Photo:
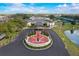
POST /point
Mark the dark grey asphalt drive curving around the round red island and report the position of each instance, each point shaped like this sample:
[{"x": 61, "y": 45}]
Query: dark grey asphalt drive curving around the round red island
[{"x": 16, "y": 48}]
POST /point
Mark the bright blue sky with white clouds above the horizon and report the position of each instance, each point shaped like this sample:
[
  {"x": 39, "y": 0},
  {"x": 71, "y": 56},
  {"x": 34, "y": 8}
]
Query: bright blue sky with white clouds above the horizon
[{"x": 45, "y": 8}]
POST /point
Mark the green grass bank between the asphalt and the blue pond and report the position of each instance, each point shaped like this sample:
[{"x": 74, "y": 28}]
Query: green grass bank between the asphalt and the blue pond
[{"x": 70, "y": 46}]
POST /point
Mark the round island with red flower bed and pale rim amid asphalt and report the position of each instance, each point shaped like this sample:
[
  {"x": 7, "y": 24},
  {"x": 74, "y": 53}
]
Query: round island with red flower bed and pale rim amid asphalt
[{"x": 38, "y": 41}]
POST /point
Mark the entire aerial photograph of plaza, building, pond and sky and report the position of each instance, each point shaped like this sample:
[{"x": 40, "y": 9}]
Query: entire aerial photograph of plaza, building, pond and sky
[{"x": 39, "y": 29}]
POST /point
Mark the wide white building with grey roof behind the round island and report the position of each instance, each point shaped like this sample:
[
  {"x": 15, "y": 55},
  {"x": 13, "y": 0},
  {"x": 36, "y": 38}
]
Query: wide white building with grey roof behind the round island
[{"x": 40, "y": 21}]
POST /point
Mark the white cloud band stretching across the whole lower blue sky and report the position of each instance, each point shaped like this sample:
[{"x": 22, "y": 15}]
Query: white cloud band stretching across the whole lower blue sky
[{"x": 31, "y": 8}]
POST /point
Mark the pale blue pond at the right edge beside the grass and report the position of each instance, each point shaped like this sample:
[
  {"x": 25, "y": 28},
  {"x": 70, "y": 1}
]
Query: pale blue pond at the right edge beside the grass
[{"x": 73, "y": 35}]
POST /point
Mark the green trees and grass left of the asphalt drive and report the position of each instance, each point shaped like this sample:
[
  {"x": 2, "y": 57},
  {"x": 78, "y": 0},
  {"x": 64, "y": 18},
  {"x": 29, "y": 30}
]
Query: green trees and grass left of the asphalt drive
[{"x": 11, "y": 29}]
